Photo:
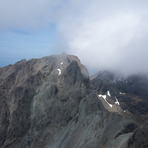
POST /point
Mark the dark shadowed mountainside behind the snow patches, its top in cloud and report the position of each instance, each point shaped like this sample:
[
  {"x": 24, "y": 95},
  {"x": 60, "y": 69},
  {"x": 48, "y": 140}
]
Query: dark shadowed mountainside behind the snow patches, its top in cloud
[{"x": 131, "y": 92}]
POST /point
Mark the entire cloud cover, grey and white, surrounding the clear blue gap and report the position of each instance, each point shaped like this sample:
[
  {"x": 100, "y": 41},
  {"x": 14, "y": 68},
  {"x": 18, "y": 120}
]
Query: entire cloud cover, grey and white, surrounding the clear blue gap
[{"x": 110, "y": 35}]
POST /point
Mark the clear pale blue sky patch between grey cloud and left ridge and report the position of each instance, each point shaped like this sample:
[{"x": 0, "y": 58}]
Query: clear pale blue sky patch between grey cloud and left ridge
[{"x": 17, "y": 44}]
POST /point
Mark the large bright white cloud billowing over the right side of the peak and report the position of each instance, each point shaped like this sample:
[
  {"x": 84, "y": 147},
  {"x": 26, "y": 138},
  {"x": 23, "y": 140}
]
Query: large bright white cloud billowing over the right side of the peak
[{"x": 108, "y": 35}]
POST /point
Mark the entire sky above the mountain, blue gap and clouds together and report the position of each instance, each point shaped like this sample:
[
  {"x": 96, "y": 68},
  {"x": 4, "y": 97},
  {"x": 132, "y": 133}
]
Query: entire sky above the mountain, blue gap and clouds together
[{"x": 105, "y": 35}]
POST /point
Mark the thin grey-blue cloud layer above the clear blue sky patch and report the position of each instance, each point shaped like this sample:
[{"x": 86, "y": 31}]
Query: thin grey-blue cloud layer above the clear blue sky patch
[{"x": 26, "y": 14}]
